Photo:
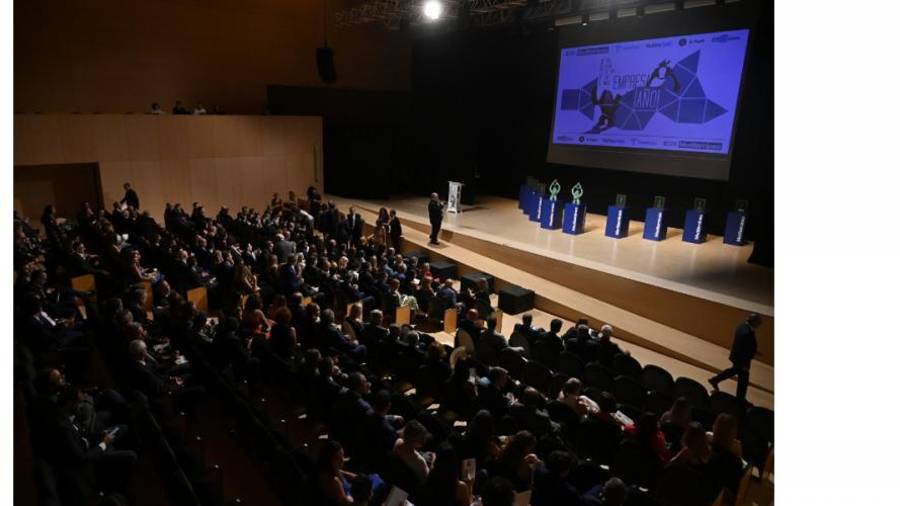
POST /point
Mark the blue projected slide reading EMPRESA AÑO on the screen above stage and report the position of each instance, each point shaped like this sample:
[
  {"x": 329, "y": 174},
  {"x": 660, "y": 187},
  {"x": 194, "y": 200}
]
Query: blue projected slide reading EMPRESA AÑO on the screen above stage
[{"x": 673, "y": 93}]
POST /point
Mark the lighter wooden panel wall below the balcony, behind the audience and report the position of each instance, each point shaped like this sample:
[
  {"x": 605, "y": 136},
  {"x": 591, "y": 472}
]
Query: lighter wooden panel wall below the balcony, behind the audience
[{"x": 215, "y": 160}]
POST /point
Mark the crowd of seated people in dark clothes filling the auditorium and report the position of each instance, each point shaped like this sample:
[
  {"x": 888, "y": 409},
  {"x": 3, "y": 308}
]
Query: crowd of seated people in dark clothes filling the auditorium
[{"x": 279, "y": 282}]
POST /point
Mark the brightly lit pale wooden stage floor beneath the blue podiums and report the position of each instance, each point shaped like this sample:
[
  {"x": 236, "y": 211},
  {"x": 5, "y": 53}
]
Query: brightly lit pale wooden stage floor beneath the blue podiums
[{"x": 712, "y": 270}]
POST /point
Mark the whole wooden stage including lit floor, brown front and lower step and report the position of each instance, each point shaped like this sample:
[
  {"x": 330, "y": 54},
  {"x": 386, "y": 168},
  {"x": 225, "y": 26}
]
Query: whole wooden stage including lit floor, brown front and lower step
[{"x": 677, "y": 299}]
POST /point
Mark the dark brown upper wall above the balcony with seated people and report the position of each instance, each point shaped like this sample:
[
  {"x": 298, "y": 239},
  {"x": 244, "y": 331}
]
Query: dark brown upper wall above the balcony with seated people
[{"x": 114, "y": 56}]
